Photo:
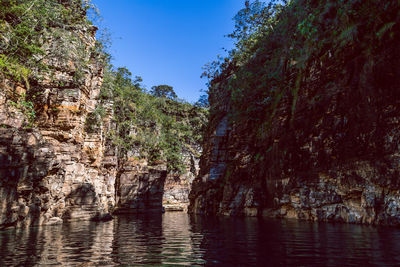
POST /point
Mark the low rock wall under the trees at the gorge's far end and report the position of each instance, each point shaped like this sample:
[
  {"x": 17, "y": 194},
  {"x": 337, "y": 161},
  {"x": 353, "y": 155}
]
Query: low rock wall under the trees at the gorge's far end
[{"x": 144, "y": 188}]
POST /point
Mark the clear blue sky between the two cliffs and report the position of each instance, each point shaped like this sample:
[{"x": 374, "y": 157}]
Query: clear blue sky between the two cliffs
[{"x": 168, "y": 41}]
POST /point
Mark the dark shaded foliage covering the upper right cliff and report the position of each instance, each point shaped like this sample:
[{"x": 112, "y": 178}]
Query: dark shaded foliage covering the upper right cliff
[{"x": 302, "y": 68}]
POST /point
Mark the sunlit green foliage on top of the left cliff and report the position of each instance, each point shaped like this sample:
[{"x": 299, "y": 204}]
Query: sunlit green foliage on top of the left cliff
[{"x": 26, "y": 28}]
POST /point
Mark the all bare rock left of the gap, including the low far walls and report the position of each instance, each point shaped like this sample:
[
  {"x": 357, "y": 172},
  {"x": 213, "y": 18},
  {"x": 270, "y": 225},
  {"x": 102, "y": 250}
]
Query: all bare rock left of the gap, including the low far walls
[{"x": 58, "y": 165}]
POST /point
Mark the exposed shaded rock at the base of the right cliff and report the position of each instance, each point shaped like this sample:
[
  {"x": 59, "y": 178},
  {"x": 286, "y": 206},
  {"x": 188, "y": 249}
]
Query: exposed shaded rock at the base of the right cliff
[{"x": 359, "y": 190}]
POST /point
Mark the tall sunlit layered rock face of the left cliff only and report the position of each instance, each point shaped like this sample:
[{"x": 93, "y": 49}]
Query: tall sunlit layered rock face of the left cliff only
[{"x": 57, "y": 170}]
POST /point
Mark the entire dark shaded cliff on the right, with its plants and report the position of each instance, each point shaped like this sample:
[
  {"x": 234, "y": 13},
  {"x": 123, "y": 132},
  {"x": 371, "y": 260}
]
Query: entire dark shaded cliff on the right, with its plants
[{"x": 326, "y": 148}]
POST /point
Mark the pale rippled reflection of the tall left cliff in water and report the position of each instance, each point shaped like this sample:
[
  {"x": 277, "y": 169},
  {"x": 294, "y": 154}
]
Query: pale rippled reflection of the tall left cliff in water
[{"x": 73, "y": 243}]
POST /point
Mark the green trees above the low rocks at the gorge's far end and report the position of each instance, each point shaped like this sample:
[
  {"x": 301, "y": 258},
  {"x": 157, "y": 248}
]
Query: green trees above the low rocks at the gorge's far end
[{"x": 151, "y": 125}]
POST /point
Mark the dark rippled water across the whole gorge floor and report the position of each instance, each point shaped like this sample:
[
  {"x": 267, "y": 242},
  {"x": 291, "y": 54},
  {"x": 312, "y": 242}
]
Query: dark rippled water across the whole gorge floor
[{"x": 175, "y": 239}]
